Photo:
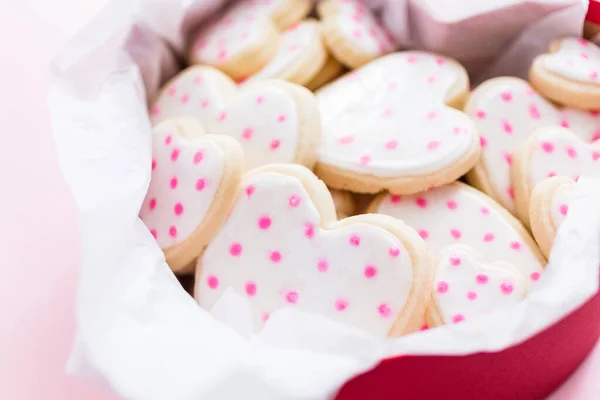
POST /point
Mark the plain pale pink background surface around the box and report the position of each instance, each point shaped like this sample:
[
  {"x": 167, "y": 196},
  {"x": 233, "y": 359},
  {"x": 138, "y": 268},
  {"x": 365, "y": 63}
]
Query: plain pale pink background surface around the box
[{"x": 38, "y": 229}]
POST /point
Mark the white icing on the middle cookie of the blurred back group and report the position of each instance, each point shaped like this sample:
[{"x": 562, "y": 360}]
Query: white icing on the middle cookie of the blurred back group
[{"x": 296, "y": 41}]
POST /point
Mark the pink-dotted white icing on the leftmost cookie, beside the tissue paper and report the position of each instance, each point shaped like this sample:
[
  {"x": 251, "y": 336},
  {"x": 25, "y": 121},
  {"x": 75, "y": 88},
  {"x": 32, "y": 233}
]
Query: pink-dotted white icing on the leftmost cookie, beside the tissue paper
[{"x": 186, "y": 174}]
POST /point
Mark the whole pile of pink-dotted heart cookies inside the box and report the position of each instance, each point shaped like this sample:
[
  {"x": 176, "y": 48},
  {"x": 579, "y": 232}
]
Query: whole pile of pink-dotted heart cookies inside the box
[{"x": 250, "y": 168}]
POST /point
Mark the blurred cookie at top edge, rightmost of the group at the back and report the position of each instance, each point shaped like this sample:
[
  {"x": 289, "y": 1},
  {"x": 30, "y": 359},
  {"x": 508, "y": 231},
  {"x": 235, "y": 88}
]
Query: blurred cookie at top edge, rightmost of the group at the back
[{"x": 353, "y": 34}]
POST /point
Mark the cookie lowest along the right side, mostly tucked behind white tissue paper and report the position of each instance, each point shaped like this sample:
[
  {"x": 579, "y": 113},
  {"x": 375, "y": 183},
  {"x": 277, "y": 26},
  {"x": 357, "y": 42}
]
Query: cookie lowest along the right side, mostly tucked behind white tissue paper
[{"x": 548, "y": 209}]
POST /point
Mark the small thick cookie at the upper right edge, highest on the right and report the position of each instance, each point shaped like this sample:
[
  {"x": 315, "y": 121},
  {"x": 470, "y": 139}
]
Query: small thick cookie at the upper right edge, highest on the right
[{"x": 569, "y": 74}]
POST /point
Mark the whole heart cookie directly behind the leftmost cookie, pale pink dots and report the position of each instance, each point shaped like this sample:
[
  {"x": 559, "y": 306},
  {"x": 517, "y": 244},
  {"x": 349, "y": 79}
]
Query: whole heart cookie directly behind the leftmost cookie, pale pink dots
[{"x": 274, "y": 121}]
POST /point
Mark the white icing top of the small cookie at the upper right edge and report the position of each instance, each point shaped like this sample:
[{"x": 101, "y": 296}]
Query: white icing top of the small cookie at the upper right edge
[{"x": 576, "y": 59}]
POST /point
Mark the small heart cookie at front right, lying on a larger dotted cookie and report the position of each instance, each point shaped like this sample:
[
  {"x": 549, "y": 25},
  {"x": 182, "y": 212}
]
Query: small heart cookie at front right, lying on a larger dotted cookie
[{"x": 464, "y": 287}]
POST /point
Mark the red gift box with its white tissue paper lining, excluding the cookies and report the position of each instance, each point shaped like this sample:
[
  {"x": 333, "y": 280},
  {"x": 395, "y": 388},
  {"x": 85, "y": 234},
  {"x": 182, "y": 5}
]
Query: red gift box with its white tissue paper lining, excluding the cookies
[{"x": 142, "y": 336}]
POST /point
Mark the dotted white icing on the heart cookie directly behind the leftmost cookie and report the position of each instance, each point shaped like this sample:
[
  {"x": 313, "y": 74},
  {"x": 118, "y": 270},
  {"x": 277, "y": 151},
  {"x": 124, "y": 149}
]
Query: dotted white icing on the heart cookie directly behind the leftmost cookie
[{"x": 263, "y": 118}]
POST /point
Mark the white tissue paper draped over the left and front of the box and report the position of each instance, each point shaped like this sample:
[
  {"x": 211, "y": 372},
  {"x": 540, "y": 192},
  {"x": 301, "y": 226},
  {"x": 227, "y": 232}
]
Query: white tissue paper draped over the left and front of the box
[{"x": 139, "y": 334}]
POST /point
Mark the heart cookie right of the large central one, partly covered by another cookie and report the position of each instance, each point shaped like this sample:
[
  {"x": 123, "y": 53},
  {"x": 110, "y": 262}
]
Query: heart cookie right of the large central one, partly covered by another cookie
[{"x": 506, "y": 112}]
